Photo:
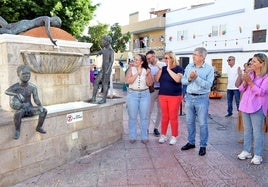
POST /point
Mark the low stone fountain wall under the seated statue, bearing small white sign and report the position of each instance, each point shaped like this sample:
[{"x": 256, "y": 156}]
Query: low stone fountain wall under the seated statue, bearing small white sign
[{"x": 34, "y": 153}]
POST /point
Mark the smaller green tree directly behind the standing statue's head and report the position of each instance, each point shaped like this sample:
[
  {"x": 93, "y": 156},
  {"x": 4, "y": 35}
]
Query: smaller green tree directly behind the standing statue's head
[{"x": 95, "y": 34}]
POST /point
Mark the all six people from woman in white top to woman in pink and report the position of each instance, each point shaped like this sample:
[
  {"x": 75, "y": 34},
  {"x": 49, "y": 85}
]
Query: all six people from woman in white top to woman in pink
[{"x": 167, "y": 81}]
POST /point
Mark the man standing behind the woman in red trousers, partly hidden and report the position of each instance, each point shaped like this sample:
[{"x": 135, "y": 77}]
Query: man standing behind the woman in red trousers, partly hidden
[{"x": 153, "y": 61}]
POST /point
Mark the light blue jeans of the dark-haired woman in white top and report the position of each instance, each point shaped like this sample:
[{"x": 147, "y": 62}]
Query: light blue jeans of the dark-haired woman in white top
[{"x": 138, "y": 102}]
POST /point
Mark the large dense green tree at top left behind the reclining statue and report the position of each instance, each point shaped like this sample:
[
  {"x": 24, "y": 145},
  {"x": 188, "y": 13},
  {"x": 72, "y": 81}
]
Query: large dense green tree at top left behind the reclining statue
[{"x": 75, "y": 14}]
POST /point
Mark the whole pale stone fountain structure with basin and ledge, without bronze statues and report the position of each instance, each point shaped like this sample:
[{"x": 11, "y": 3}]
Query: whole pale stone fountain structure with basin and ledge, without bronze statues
[{"x": 74, "y": 127}]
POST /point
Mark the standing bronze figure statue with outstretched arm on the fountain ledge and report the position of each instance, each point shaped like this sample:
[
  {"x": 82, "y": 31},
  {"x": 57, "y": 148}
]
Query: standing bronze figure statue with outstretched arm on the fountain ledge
[{"x": 103, "y": 76}]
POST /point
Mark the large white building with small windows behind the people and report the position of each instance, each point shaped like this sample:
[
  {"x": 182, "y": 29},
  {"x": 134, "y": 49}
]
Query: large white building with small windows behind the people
[{"x": 223, "y": 27}]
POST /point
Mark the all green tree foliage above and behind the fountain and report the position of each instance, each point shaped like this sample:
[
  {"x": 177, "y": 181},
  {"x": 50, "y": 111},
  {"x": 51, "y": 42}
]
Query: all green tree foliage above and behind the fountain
[{"x": 75, "y": 15}]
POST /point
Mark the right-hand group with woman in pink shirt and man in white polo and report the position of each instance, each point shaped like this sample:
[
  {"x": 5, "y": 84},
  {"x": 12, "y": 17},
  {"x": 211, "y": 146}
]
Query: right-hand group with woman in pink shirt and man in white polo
[{"x": 250, "y": 88}]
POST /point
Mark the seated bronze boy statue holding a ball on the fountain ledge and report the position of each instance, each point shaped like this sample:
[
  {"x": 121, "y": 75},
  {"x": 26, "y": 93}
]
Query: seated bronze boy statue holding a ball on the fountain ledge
[{"x": 21, "y": 100}]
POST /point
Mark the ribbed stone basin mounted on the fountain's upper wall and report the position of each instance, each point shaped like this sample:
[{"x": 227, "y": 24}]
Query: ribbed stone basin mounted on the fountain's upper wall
[{"x": 52, "y": 62}]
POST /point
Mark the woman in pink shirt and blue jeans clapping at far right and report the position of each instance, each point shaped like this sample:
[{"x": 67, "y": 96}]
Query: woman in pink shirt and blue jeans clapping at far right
[{"x": 254, "y": 107}]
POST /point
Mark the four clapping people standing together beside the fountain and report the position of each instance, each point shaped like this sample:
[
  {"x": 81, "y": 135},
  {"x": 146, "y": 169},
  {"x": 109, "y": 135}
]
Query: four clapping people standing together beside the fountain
[{"x": 167, "y": 80}]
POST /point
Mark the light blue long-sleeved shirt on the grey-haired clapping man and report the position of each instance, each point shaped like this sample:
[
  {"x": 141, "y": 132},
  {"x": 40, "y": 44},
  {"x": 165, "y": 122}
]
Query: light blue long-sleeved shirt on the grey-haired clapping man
[{"x": 202, "y": 84}]
